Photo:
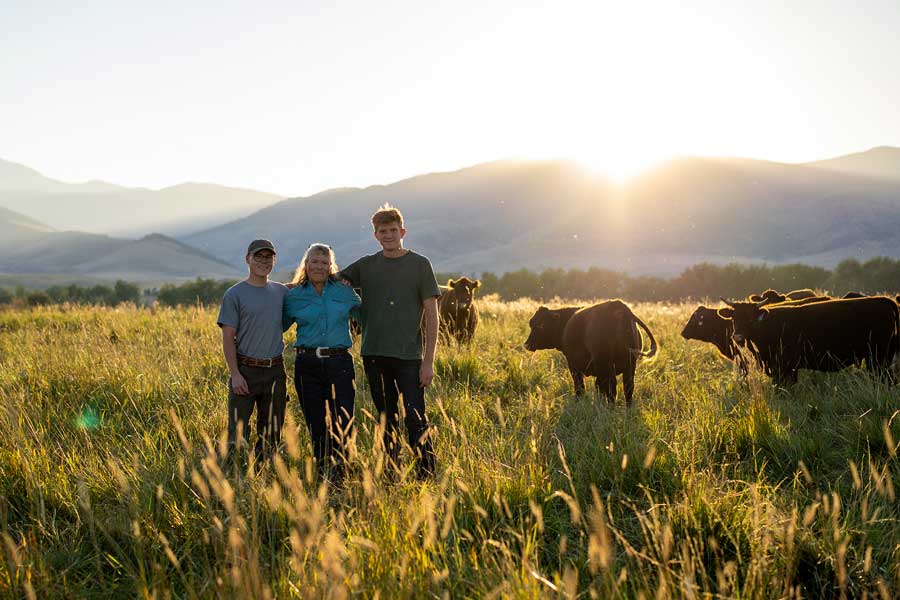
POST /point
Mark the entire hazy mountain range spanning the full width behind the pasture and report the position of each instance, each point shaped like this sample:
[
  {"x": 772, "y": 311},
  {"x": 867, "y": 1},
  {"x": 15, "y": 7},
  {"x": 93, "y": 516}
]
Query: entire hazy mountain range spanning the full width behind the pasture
[{"x": 502, "y": 216}]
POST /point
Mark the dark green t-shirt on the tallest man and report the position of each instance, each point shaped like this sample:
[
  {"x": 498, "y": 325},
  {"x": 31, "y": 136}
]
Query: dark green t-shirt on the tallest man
[{"x": 392, "y": 291}]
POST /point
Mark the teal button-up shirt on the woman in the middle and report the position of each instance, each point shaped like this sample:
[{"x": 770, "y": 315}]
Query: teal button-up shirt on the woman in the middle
[{"x": 322, "y": 321}]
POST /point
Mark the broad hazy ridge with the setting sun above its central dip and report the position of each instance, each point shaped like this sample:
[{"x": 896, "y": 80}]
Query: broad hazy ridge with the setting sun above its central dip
[{"x": 541, "y": 214}]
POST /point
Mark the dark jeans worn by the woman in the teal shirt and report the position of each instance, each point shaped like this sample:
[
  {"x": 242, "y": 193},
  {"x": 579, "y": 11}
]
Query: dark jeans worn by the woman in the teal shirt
[{"x": 326, "y": 392}]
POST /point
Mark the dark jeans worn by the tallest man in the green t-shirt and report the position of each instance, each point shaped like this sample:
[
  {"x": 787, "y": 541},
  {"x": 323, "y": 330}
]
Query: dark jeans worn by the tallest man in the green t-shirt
[{"x": 390, "y": 378}]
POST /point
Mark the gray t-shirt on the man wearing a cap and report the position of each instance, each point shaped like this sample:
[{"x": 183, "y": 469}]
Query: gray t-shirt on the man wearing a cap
[{"x": 256, "y": 314}]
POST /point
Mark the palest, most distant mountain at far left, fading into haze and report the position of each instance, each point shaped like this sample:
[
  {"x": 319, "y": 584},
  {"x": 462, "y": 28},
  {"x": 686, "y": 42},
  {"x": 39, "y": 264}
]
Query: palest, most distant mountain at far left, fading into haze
[{"x": 100, "y": 207}]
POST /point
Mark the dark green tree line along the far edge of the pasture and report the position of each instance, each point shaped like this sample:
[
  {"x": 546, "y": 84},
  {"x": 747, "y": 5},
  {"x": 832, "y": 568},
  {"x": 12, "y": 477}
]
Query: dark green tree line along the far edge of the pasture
[{"x": 704, "y": 280}]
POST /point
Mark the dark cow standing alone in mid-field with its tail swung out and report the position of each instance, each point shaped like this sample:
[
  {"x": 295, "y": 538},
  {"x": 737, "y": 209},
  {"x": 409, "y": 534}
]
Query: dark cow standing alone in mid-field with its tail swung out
[{"x": 599, "y": 341}]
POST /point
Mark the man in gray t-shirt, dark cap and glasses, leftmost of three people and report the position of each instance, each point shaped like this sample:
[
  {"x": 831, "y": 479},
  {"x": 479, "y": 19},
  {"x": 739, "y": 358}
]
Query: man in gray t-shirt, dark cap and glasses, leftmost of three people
[{"x": 250, "y": 318}]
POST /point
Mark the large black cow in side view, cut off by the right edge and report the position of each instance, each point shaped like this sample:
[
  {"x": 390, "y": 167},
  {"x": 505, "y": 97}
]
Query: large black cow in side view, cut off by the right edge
[{"x": 823, "y": 336}]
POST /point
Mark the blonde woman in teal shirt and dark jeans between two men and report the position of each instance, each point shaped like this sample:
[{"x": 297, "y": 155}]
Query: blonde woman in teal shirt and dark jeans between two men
[{"x": 321, "y": 307}]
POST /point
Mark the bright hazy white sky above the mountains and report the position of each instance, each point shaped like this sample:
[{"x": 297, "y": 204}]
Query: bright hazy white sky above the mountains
[{"x": 295, "y": 97}]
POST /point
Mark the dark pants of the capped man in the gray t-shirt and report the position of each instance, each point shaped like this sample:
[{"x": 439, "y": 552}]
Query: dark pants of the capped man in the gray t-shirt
[{"x": 268, "y": 394}]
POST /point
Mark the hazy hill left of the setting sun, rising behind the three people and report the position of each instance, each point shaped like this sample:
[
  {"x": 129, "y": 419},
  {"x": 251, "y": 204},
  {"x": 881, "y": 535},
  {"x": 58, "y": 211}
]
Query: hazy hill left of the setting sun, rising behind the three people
[{"x": 477, "y": 209}]
